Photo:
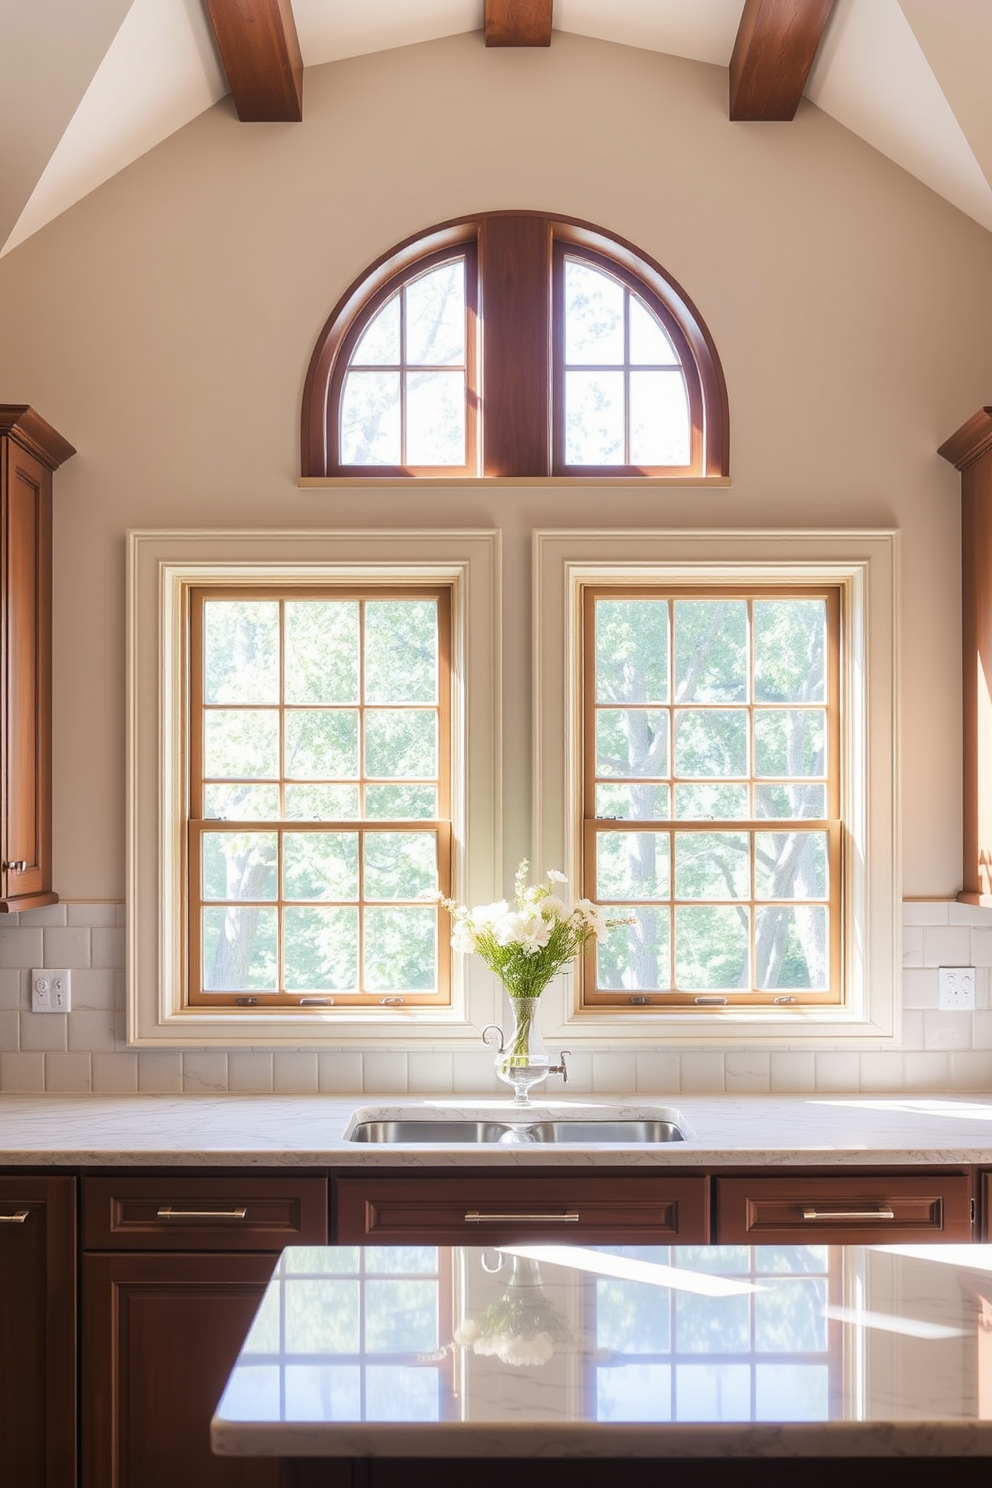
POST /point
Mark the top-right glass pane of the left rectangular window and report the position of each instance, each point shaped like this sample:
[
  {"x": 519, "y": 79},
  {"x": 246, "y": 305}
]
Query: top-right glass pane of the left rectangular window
[{"x": 401, "y": 651}]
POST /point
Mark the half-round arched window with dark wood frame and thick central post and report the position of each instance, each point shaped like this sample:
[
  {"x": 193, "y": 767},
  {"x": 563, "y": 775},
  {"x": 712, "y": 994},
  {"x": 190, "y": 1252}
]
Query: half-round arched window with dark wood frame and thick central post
[{"x": 515, "y": 346}]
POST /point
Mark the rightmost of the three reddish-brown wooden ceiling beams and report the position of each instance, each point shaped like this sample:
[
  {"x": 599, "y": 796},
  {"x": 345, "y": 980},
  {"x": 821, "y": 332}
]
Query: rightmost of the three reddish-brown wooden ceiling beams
[{"x": 776, "y": 48}]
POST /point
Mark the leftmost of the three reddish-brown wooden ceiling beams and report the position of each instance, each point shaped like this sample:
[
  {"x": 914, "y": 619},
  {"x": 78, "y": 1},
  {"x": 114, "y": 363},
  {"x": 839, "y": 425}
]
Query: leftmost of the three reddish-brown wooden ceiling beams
[{"x": 261, "y": 54}]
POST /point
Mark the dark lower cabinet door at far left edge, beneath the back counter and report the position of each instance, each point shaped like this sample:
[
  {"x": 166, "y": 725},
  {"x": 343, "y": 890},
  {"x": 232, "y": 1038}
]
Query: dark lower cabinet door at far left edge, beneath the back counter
[{"x": 38, "y": 1333}]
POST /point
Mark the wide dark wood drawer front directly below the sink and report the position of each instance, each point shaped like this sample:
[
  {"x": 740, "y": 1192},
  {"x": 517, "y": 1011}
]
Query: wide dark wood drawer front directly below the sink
[{"x": 486, "y": 1210}]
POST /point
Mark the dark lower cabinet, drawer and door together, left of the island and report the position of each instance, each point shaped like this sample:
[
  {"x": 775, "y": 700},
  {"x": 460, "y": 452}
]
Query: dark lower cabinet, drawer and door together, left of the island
[{"x": 173, "y": 1271}]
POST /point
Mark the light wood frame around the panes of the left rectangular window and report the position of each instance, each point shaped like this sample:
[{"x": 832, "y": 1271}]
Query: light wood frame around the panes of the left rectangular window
[{"x": 197, "y": 824}]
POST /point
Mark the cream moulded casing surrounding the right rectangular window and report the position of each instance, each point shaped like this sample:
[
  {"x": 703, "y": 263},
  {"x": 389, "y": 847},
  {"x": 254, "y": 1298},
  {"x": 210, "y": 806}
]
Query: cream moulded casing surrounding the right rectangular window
[{"x": 865, "y": 568}]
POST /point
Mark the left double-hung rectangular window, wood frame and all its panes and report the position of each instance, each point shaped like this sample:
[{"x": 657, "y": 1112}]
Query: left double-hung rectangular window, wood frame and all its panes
[{"x": 321, "y": 797}]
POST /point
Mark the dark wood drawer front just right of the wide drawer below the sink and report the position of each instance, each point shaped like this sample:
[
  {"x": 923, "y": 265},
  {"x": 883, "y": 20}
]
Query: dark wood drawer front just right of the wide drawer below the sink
[{"x": 869, "y": 1210}]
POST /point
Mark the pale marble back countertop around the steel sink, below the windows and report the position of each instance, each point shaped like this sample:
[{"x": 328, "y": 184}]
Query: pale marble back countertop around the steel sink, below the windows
[{"x": 310, "y": 1132}]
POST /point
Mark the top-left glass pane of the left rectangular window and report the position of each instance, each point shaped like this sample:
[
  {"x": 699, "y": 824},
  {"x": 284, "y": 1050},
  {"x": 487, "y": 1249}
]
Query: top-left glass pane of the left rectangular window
[{"x": 242, "y": 651}]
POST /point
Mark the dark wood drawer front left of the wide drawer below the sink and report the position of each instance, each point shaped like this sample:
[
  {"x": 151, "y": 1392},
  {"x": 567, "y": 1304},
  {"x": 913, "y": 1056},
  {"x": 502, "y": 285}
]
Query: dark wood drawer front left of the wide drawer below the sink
[{"x": 204, "y": 1215}]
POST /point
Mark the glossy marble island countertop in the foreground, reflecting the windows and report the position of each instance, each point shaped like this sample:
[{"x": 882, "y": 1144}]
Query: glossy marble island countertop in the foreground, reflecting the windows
[{"x": 652, "y": 1352}]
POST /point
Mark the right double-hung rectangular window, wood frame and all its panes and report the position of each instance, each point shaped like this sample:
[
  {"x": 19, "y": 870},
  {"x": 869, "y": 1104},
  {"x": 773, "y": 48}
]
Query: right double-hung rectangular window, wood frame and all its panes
[{"x": 713, "y": 795}]
